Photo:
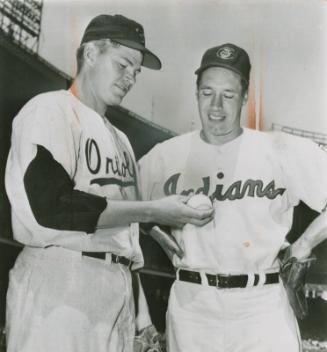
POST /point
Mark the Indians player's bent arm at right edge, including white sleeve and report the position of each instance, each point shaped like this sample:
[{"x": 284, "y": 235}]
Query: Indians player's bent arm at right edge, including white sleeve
[{"x": 304, "y": 166}]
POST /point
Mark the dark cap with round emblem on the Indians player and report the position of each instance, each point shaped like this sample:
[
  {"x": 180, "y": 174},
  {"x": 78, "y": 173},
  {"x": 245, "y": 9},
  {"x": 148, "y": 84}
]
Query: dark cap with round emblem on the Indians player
[{"x": 228, "y": 56}]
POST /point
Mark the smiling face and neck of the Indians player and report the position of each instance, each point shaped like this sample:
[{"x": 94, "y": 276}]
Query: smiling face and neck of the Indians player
[{"x": 220, "y": 99}]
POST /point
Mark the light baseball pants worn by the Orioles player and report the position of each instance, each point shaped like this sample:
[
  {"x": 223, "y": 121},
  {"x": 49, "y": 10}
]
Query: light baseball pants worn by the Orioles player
[{"x": 61, "y": 301}]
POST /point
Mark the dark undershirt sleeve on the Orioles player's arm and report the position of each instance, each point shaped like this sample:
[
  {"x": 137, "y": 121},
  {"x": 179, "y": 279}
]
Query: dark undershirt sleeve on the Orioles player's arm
[{"x": 54, "y": 201}]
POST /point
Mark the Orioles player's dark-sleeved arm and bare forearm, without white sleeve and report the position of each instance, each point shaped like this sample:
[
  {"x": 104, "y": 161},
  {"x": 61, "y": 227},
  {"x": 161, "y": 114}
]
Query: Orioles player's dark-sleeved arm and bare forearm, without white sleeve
[{"x": 56, "y": 204}]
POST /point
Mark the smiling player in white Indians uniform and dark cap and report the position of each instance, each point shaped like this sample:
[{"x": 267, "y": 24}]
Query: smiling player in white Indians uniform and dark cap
[{"x": 228, "y": 296}]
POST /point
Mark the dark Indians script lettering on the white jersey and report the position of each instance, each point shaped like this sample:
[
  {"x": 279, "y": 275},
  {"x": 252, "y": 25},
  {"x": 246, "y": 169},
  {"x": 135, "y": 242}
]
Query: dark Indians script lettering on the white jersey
[{"x": 237, "y": 190}]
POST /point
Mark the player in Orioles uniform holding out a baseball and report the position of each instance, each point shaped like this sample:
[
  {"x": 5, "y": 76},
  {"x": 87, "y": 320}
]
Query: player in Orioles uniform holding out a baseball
[{"x": 71, "y": 180}]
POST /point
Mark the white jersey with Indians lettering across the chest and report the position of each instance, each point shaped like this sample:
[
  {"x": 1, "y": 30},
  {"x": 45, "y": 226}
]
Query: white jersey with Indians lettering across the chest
[{"x": 254, "y": 180}]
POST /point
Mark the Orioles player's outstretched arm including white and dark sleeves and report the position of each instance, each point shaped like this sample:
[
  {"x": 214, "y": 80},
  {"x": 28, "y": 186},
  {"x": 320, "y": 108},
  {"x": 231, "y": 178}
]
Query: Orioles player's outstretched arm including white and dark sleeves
[{"x": 47, "y": 161}]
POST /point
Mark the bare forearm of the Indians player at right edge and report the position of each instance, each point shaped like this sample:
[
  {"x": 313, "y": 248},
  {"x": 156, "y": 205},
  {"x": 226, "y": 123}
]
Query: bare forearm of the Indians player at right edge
[{"x": 315, "y": 233}]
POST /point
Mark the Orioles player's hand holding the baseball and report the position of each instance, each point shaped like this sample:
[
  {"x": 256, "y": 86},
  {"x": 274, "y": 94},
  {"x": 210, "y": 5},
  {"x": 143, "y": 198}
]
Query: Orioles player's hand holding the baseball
[{"x": 173, "y": 211}]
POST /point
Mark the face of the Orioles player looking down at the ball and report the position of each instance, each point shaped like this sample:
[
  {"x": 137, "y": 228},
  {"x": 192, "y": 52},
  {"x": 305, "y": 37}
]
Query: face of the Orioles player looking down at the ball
[{"x": 111, "y": 73}]
